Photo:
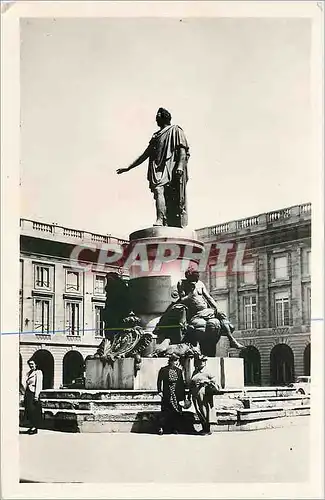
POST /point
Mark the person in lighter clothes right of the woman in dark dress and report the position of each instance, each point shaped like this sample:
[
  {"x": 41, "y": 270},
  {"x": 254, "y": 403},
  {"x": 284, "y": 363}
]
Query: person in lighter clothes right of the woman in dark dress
[{"x": 202, "y": 387}]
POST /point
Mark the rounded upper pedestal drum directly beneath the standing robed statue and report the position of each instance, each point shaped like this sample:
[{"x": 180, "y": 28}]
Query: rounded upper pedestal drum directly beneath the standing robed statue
[{"x": 158, "y": 258}]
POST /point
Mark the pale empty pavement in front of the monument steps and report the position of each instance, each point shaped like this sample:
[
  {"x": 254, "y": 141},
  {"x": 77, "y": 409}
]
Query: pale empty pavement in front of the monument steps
[{"x": 272, "y": 455}]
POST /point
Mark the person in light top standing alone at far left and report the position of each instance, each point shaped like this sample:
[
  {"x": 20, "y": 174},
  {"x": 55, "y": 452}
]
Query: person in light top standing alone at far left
[{"x": 33, "y": 409}]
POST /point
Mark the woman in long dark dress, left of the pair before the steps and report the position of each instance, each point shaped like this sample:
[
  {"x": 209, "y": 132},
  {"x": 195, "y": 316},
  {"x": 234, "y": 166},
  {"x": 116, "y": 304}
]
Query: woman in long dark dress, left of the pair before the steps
[{"x": 171, "y": 388}]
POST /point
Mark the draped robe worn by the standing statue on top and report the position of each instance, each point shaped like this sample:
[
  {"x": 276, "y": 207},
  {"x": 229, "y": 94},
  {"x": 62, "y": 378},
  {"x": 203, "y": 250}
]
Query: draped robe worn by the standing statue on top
[{"x": 165, "y": 147}]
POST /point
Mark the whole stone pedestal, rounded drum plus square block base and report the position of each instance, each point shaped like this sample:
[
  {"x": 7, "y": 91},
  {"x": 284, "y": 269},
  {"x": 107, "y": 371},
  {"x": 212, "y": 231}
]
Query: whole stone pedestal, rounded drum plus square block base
[{"x": 157, "y": 258}]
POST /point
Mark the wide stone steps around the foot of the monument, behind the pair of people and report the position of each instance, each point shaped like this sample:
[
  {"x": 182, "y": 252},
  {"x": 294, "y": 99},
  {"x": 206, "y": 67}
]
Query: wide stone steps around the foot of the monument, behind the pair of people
[{"x": 81, "y": 410}]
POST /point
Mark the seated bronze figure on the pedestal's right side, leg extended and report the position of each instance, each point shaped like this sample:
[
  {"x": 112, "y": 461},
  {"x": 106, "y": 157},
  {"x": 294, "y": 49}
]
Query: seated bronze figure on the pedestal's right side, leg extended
[{"x": 194, "y": 319}]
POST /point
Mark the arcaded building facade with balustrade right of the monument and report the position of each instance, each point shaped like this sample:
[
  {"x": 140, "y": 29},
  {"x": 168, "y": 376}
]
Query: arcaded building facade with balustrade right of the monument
[{"x": 265, "y": 289}]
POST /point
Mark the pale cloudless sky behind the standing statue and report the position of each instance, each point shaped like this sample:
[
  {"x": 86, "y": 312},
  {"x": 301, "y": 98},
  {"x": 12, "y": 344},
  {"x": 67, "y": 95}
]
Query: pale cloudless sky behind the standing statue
[{"x": 90, "y": 89}]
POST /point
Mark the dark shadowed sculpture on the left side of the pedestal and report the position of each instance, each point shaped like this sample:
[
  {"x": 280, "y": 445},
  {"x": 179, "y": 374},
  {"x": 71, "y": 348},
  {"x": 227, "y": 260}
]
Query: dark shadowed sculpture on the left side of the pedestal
[{"x": 123, "y": 335}]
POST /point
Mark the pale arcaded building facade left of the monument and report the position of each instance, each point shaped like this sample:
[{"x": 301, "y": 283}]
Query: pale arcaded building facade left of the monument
[{"x": 60, "y": 299}]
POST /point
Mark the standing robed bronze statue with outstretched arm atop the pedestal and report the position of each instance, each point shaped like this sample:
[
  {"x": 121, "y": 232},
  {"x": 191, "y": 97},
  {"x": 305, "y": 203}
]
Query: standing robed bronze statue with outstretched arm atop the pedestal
[{"x": 168, "y": 154}]
